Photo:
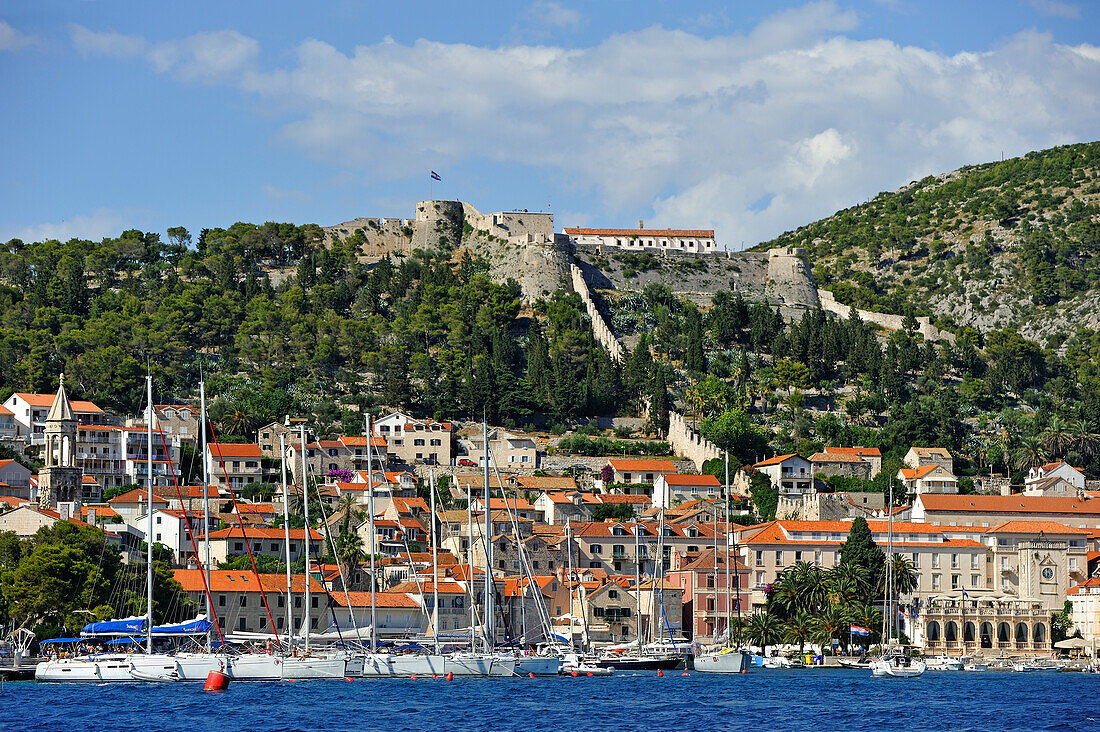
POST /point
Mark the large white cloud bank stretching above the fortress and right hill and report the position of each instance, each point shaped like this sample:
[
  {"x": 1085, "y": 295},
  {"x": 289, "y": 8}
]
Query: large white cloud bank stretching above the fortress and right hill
[{"x": 698, "y": 130}]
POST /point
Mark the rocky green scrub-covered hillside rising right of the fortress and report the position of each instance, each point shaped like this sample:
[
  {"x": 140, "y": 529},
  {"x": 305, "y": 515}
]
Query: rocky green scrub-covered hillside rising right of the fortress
[{"x": 1008, "y": 245}]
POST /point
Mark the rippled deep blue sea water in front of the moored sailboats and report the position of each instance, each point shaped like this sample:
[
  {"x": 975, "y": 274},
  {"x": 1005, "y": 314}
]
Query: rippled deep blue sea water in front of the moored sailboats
[{"x": 812, "y": 700}]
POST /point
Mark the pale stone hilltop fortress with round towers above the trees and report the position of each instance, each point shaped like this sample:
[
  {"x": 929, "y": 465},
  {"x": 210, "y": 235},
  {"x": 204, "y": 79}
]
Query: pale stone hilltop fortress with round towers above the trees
[{"x": 525, "y": 247}]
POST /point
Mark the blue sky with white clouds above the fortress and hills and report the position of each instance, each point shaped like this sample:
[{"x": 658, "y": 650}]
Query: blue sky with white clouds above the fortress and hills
[{"x": 751, "y": 118}]
